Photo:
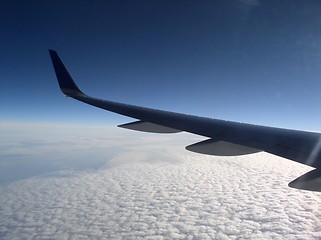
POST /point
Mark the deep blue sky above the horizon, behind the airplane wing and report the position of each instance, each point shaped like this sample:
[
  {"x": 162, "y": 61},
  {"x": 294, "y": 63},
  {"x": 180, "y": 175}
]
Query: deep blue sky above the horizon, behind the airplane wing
[{"x": 247, "y": 60}]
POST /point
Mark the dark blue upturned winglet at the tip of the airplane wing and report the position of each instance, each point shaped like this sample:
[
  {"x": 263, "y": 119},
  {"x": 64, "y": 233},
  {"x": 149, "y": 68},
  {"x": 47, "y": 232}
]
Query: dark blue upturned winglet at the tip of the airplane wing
[{"x": 66, "y": 83}]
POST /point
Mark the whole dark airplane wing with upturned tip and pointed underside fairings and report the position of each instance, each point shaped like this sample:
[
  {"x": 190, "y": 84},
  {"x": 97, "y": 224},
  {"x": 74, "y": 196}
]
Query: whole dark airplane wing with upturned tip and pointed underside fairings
[{"x": 225, "y": 138}]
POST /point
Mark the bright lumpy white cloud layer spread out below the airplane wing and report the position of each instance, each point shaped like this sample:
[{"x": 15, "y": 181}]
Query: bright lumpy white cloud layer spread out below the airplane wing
[{"x": 155, "y": 189}]
